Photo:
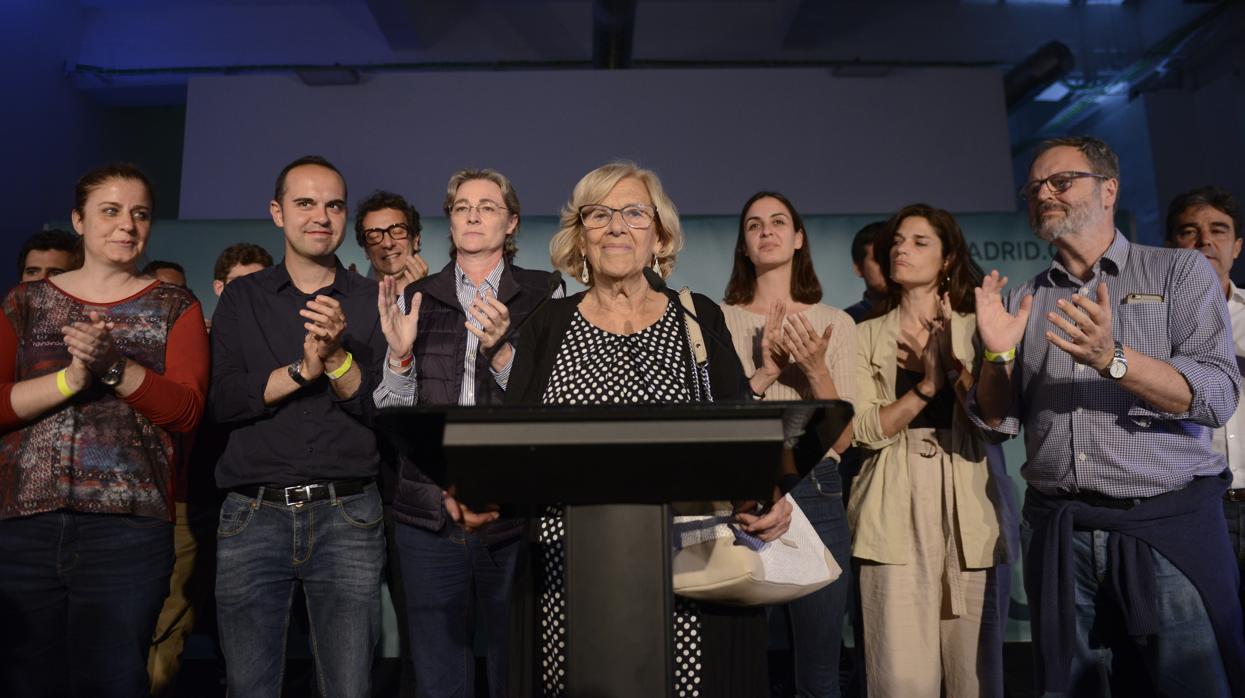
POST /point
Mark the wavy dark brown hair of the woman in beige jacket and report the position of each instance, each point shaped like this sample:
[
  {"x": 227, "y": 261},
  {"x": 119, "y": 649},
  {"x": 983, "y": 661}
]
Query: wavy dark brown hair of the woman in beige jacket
[{"x": 958, "y": 282}]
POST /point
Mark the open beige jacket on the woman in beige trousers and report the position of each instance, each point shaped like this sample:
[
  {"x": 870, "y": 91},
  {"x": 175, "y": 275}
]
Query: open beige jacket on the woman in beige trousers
[{"x": 881, "y": 510}]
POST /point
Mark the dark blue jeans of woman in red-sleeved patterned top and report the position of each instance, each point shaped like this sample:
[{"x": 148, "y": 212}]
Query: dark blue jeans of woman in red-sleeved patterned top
[{"x": 79, "y": 600}]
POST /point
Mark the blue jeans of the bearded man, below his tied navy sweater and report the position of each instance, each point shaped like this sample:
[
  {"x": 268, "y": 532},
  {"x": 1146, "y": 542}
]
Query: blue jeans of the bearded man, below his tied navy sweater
[{"x": 1181, "y": 660}]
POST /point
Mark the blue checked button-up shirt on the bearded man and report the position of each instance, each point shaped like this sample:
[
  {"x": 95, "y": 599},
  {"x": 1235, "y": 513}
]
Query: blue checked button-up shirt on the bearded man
[{"x": 1086, "y": 434}]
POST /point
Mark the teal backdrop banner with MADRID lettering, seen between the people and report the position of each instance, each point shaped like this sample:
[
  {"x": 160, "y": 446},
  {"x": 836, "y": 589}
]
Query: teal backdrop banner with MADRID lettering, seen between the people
[{"x": 997, "y": 241}]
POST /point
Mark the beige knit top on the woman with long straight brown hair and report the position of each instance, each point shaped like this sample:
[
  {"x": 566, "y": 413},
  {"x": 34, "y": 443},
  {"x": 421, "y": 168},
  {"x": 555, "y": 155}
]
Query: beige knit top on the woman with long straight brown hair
[{"x": 792, "y": 384}]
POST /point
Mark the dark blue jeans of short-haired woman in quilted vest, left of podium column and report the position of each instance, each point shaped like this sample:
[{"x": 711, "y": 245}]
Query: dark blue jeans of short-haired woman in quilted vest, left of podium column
[{"x": 453, "y": 578}]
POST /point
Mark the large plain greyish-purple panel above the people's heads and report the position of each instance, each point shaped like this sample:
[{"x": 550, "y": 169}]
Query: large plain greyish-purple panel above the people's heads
[{"x": 834, "y": 141}]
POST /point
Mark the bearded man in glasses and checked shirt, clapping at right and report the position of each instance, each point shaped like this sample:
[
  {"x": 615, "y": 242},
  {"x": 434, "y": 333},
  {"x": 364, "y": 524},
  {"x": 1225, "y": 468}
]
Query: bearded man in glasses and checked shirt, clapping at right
[{"x": 1117, "y": 361}]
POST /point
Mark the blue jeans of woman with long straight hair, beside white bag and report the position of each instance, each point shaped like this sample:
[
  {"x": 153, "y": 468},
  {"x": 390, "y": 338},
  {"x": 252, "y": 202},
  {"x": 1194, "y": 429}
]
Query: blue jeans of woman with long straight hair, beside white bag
[{"x": 817, "y": 619}]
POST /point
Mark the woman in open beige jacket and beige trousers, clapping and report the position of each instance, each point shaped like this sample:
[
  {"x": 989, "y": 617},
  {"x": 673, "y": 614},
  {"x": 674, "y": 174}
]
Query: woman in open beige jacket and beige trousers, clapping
[{"x": 926, "y": 529}]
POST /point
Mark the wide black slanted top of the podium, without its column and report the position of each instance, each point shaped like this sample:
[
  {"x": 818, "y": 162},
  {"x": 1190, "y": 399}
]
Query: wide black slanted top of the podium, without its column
[{"x": 596, "y": 455}]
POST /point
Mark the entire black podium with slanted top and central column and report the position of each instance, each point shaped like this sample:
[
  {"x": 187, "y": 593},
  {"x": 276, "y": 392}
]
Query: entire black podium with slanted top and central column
[{"x": 617, "y": 470}]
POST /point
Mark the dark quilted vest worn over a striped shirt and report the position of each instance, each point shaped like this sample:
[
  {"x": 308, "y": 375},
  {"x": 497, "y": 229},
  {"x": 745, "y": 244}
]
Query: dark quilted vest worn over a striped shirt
[{"x": 440, "y": 347}]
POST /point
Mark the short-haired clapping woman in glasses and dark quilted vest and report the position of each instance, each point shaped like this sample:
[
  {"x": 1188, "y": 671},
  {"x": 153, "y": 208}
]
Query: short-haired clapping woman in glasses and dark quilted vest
[{"x": 453, "y": 348}]
